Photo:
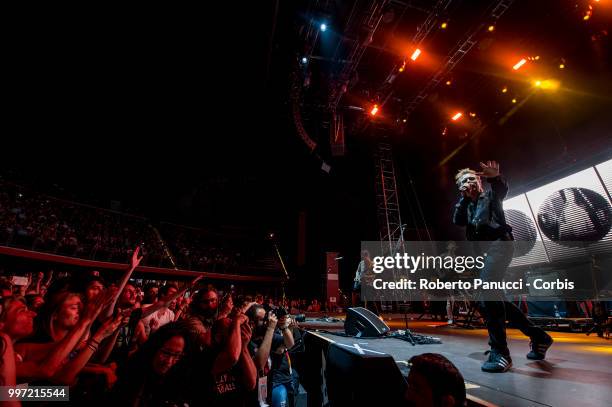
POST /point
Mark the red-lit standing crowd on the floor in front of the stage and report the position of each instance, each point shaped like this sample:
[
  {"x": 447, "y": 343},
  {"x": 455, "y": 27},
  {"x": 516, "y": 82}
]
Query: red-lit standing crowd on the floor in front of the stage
[{"x": 168, "y": 344}]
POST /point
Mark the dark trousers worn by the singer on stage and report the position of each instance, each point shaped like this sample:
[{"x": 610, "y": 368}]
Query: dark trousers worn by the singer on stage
[{"x": 499, "y": 255}]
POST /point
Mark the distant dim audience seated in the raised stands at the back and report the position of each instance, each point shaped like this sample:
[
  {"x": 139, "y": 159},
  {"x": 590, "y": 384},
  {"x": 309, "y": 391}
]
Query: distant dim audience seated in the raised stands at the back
[{"x": 37, "y": 222}]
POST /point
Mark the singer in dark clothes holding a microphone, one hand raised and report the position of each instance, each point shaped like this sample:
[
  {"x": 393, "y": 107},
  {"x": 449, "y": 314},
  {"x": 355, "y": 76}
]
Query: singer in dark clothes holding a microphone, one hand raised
[{"x": 482, "y": 214}]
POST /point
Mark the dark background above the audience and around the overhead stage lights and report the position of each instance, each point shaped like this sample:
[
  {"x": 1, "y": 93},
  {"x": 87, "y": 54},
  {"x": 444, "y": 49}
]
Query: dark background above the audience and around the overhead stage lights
[{"x": 183, "y": 115}]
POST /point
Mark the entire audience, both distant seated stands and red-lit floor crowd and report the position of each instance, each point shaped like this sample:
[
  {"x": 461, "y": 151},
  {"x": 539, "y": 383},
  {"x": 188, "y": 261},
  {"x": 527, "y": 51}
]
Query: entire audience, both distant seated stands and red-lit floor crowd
[{"x": 171, "y": 344}]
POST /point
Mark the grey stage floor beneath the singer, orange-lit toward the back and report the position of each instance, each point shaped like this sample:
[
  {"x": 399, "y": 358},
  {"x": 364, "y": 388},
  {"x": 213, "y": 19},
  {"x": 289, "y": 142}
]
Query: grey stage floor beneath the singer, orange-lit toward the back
[{"x": 577, "y": 371}]
